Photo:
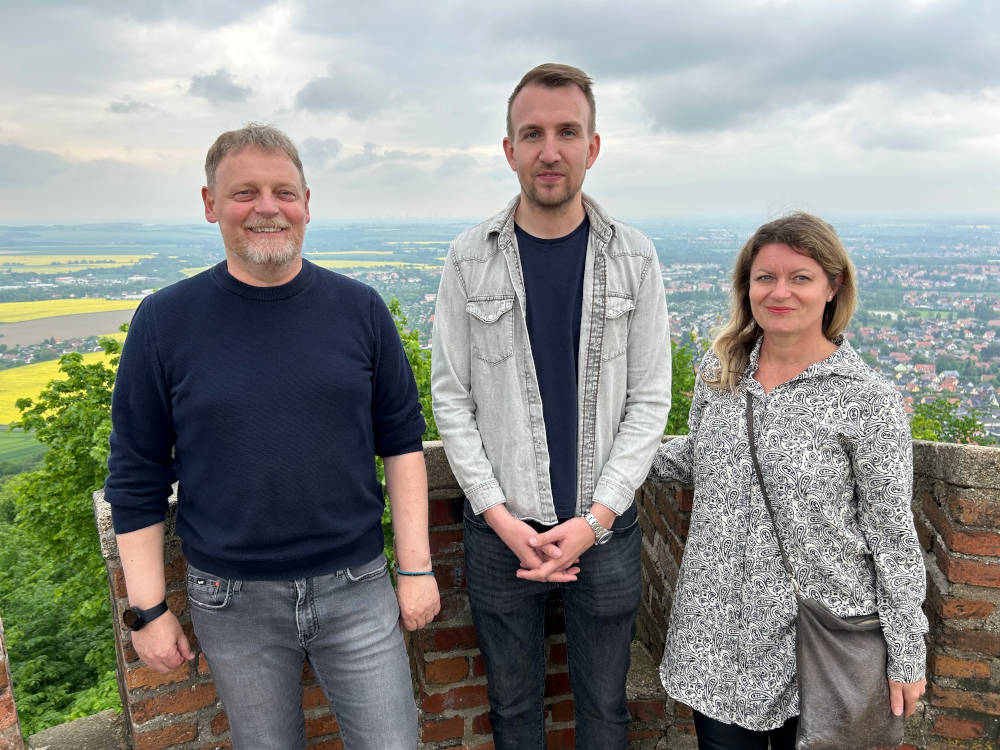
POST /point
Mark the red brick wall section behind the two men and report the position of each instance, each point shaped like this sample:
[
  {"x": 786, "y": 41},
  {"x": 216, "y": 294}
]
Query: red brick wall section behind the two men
[{"x": 181, "y": 709}]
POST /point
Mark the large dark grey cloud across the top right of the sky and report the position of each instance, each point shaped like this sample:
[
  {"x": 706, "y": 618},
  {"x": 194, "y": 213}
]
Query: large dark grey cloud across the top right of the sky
[{"x": 694, "y": 66}]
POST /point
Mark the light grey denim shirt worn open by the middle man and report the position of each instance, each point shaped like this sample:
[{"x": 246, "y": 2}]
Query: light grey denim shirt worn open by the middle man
[{"x": 485, "y": 390}]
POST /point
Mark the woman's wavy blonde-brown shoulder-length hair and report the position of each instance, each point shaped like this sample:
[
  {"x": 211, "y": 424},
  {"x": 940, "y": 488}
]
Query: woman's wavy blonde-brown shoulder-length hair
[{"x": 805, "y": 234}]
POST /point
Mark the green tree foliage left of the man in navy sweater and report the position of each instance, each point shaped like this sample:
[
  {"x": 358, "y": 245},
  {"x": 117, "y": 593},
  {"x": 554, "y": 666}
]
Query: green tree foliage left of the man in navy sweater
[{"x": 53, "y": 586}]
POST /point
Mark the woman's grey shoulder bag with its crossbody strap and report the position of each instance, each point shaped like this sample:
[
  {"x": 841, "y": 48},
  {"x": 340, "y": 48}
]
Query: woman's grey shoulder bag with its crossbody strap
[{"x": 840, "y": 665}]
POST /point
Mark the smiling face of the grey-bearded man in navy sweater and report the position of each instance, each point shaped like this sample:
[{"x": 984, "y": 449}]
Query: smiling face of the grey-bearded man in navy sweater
[{"x": 262, "y": 209}]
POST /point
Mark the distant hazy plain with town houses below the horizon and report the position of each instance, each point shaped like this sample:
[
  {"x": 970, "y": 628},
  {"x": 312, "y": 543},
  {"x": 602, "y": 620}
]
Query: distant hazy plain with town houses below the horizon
[{"x": 928, "y": 318}]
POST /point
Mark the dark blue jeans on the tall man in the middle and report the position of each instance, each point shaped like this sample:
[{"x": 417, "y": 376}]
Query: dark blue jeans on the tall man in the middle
[{"x": 509, "y": 616}]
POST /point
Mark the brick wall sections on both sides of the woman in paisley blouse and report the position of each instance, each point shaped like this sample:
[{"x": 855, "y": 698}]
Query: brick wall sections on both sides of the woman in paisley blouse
[{"x": 956, "y": 503}]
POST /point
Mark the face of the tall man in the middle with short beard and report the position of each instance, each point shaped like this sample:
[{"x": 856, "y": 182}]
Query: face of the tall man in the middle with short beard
[{"x": 551, "y": 147}]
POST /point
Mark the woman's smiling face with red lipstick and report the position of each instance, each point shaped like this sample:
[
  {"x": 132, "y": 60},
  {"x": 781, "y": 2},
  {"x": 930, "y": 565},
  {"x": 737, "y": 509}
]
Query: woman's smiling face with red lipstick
[{"x": 788, "y": 293}]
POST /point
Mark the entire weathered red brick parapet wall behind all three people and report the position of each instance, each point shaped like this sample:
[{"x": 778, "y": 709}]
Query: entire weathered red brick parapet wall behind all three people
[{"x": 957, "y": 503}]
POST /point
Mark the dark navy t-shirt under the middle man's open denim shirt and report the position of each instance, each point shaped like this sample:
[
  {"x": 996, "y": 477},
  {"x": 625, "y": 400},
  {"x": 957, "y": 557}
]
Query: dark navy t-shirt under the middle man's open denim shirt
[{"x": 553, "y": 283}]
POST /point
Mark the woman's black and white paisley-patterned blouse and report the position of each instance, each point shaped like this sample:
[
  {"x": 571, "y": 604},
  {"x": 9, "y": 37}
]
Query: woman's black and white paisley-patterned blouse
[{"x": 835, "y": 451}]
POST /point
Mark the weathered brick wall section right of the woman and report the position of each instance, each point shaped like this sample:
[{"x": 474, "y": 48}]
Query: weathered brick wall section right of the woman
[{"x": 957, "y": 506}]
